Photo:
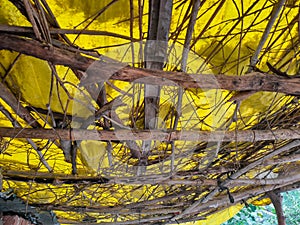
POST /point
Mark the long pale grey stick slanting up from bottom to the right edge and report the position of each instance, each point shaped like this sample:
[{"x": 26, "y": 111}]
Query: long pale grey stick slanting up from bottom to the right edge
[{"x": 195, "y": 206}]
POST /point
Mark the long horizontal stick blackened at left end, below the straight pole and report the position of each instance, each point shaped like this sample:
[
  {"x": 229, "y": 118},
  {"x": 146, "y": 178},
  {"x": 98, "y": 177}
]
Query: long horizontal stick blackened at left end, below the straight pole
[{"x": 160, "y": 179}]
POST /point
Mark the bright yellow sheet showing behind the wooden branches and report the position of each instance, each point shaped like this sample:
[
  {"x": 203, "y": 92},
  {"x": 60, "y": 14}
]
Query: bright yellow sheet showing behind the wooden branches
[{"x": 30, "y": 79}]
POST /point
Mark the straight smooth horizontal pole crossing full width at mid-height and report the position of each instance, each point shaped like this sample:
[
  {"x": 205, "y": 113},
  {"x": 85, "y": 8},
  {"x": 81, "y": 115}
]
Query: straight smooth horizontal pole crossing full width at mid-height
[{"x": 124, "y": 134}]
